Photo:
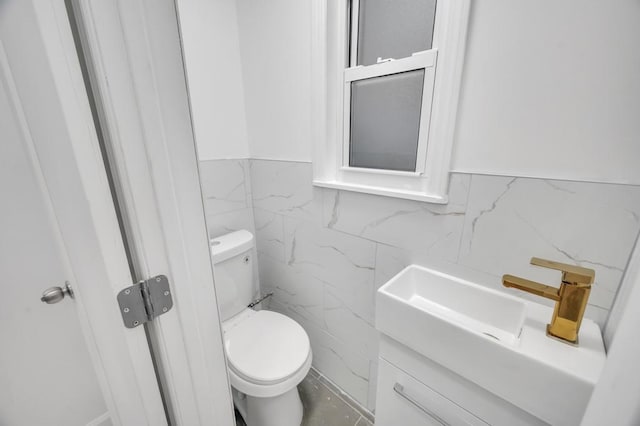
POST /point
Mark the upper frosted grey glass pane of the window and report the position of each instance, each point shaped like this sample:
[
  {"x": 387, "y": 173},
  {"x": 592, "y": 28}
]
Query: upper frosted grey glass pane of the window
[{"x": 394, "y": 28}]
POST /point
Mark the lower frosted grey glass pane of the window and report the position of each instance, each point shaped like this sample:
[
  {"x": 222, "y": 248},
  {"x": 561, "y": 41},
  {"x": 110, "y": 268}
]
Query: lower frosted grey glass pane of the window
[{"x": 385, "y": 120}]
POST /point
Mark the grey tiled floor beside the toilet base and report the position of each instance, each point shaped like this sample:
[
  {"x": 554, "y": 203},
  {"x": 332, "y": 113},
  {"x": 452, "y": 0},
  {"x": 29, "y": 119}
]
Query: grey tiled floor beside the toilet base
[{"x": 323, "y": 407}]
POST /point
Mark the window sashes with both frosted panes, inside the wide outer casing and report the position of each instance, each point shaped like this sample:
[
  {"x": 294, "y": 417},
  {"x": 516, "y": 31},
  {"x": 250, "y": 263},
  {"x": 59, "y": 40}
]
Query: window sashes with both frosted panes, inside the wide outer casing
[{"x": 388, "y": 84}]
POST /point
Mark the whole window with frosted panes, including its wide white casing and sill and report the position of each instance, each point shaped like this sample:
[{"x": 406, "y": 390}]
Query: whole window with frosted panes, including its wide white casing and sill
[{"x": 392, "y": 100}]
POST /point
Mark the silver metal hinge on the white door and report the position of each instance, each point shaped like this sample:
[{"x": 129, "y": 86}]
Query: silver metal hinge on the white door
[{"x": 145, "y": 300}]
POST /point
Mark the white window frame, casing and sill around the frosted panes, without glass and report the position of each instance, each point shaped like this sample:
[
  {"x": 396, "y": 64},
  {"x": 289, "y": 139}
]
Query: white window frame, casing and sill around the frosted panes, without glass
[{"x": 332, "y": 75}]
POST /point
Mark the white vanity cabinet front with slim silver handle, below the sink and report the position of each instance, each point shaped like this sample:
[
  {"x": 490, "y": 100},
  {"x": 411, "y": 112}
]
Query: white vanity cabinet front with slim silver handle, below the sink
[{"x": 404, "y": 400}]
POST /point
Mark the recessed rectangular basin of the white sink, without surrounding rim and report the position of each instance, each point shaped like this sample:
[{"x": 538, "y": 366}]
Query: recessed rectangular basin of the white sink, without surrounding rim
[{"x": 450, "y": 300}]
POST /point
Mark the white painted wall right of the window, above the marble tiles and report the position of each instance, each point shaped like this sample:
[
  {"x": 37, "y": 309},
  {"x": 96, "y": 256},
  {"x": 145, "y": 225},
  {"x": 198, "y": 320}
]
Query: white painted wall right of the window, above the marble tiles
[{"x": 551, "y": 89}]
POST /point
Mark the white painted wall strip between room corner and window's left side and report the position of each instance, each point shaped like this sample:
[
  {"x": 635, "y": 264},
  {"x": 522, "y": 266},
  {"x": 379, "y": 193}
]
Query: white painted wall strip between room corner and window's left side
[{"x": 275, "y": 39}]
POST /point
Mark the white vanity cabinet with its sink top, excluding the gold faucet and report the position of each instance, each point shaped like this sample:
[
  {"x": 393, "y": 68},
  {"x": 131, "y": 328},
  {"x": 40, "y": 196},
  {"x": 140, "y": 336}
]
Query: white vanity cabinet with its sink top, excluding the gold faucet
[{"x": 458, "y": 352}]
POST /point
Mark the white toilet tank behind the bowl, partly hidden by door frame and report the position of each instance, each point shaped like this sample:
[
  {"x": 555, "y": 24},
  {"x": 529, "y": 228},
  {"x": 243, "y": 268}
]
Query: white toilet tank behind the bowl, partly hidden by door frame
[{"x": 233, "y": 271}]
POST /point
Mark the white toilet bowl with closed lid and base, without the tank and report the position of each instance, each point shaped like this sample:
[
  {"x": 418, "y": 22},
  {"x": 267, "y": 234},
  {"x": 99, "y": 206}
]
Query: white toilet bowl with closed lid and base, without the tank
[{"x": 268, "y": 355}]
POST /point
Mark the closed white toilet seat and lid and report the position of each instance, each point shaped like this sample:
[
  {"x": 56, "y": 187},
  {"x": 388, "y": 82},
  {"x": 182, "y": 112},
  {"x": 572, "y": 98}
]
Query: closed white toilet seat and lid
[{"x": 268, "y": 353}]
